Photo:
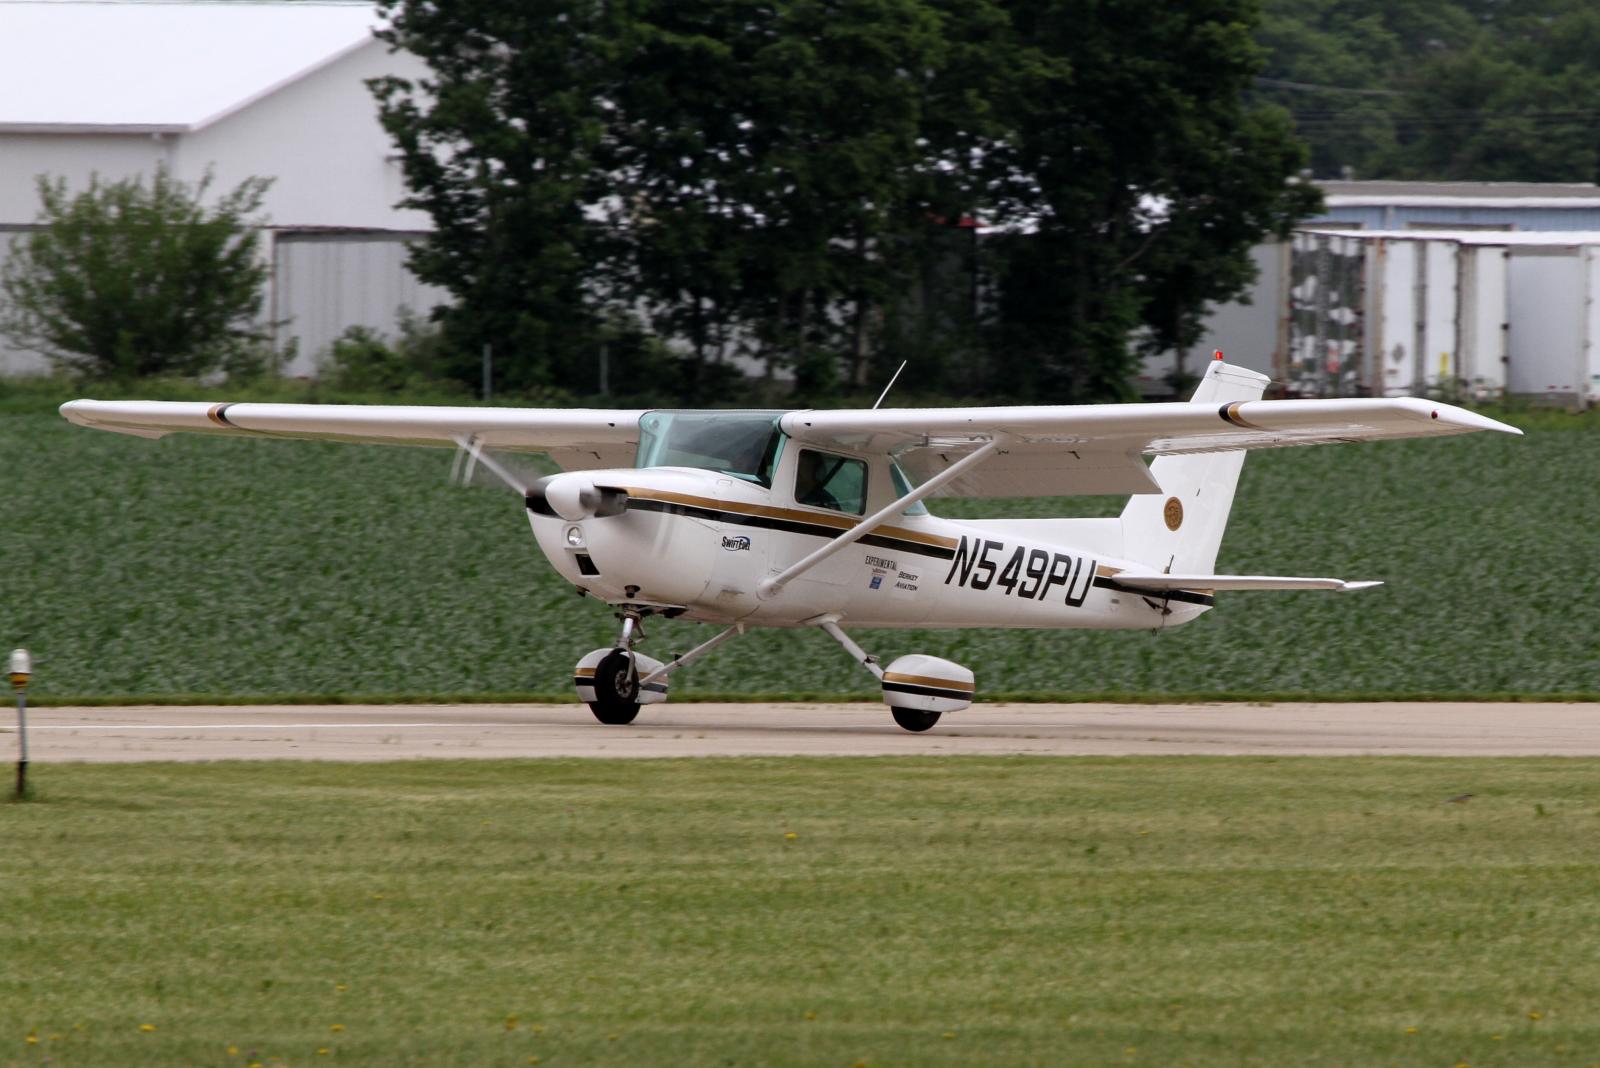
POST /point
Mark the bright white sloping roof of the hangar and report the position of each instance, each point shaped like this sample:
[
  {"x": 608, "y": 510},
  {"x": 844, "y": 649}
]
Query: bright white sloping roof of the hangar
[{"x": 161, "y": 66}]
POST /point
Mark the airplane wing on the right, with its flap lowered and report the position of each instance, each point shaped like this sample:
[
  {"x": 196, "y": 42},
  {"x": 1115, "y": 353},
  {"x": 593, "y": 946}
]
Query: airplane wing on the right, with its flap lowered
[{"x": 1100, "y": 448}]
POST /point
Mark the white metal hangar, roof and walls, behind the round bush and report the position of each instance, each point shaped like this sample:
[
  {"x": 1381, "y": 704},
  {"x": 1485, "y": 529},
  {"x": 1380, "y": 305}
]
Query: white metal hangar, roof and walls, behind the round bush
[{"x": 239, "y": 89}]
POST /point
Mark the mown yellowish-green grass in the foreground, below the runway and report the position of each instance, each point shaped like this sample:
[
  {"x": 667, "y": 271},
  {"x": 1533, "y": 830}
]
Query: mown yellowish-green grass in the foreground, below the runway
[{"x": 790, "y": 912}]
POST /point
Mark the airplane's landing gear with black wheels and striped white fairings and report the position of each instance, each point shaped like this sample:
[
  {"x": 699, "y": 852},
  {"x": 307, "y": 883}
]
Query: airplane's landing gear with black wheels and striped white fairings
[{"x": 617, "y": 682}]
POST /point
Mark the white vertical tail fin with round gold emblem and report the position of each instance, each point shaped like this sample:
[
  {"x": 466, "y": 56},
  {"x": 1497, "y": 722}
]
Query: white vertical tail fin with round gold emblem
[{"x": 1182, "y": 528}]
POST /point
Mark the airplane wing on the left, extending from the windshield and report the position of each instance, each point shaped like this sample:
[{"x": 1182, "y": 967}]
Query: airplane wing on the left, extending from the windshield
[{"x": 577, "y": 439}]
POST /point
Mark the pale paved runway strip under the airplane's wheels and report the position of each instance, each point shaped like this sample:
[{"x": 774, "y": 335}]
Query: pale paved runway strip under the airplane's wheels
[{"x": 370, "y": 733}]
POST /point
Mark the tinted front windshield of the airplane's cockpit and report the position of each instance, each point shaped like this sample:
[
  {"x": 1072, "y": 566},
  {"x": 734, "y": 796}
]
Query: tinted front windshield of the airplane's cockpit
[{"x": 740, "y": 444}]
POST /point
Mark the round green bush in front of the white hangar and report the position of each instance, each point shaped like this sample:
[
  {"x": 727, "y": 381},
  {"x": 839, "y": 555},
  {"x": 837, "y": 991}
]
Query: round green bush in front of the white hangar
[{"x": 130, "y": 279}]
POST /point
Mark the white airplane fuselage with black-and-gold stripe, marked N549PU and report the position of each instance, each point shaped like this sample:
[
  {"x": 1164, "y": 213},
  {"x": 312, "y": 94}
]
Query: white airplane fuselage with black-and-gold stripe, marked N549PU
[{"x": 702, "y": 543}]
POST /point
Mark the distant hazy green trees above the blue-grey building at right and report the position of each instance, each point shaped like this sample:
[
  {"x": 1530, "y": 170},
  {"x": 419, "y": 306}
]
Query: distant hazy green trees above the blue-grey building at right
[{"x": 1439, "y": 90}]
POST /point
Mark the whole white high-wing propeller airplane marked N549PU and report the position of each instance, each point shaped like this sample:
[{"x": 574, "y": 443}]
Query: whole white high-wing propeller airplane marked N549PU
[{"x": 815, "y": 519}]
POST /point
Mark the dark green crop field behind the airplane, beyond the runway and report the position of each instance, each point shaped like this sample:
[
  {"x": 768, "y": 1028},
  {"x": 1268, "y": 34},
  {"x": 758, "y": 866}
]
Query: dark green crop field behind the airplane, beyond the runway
[{"x": 238, "y": 568}]
